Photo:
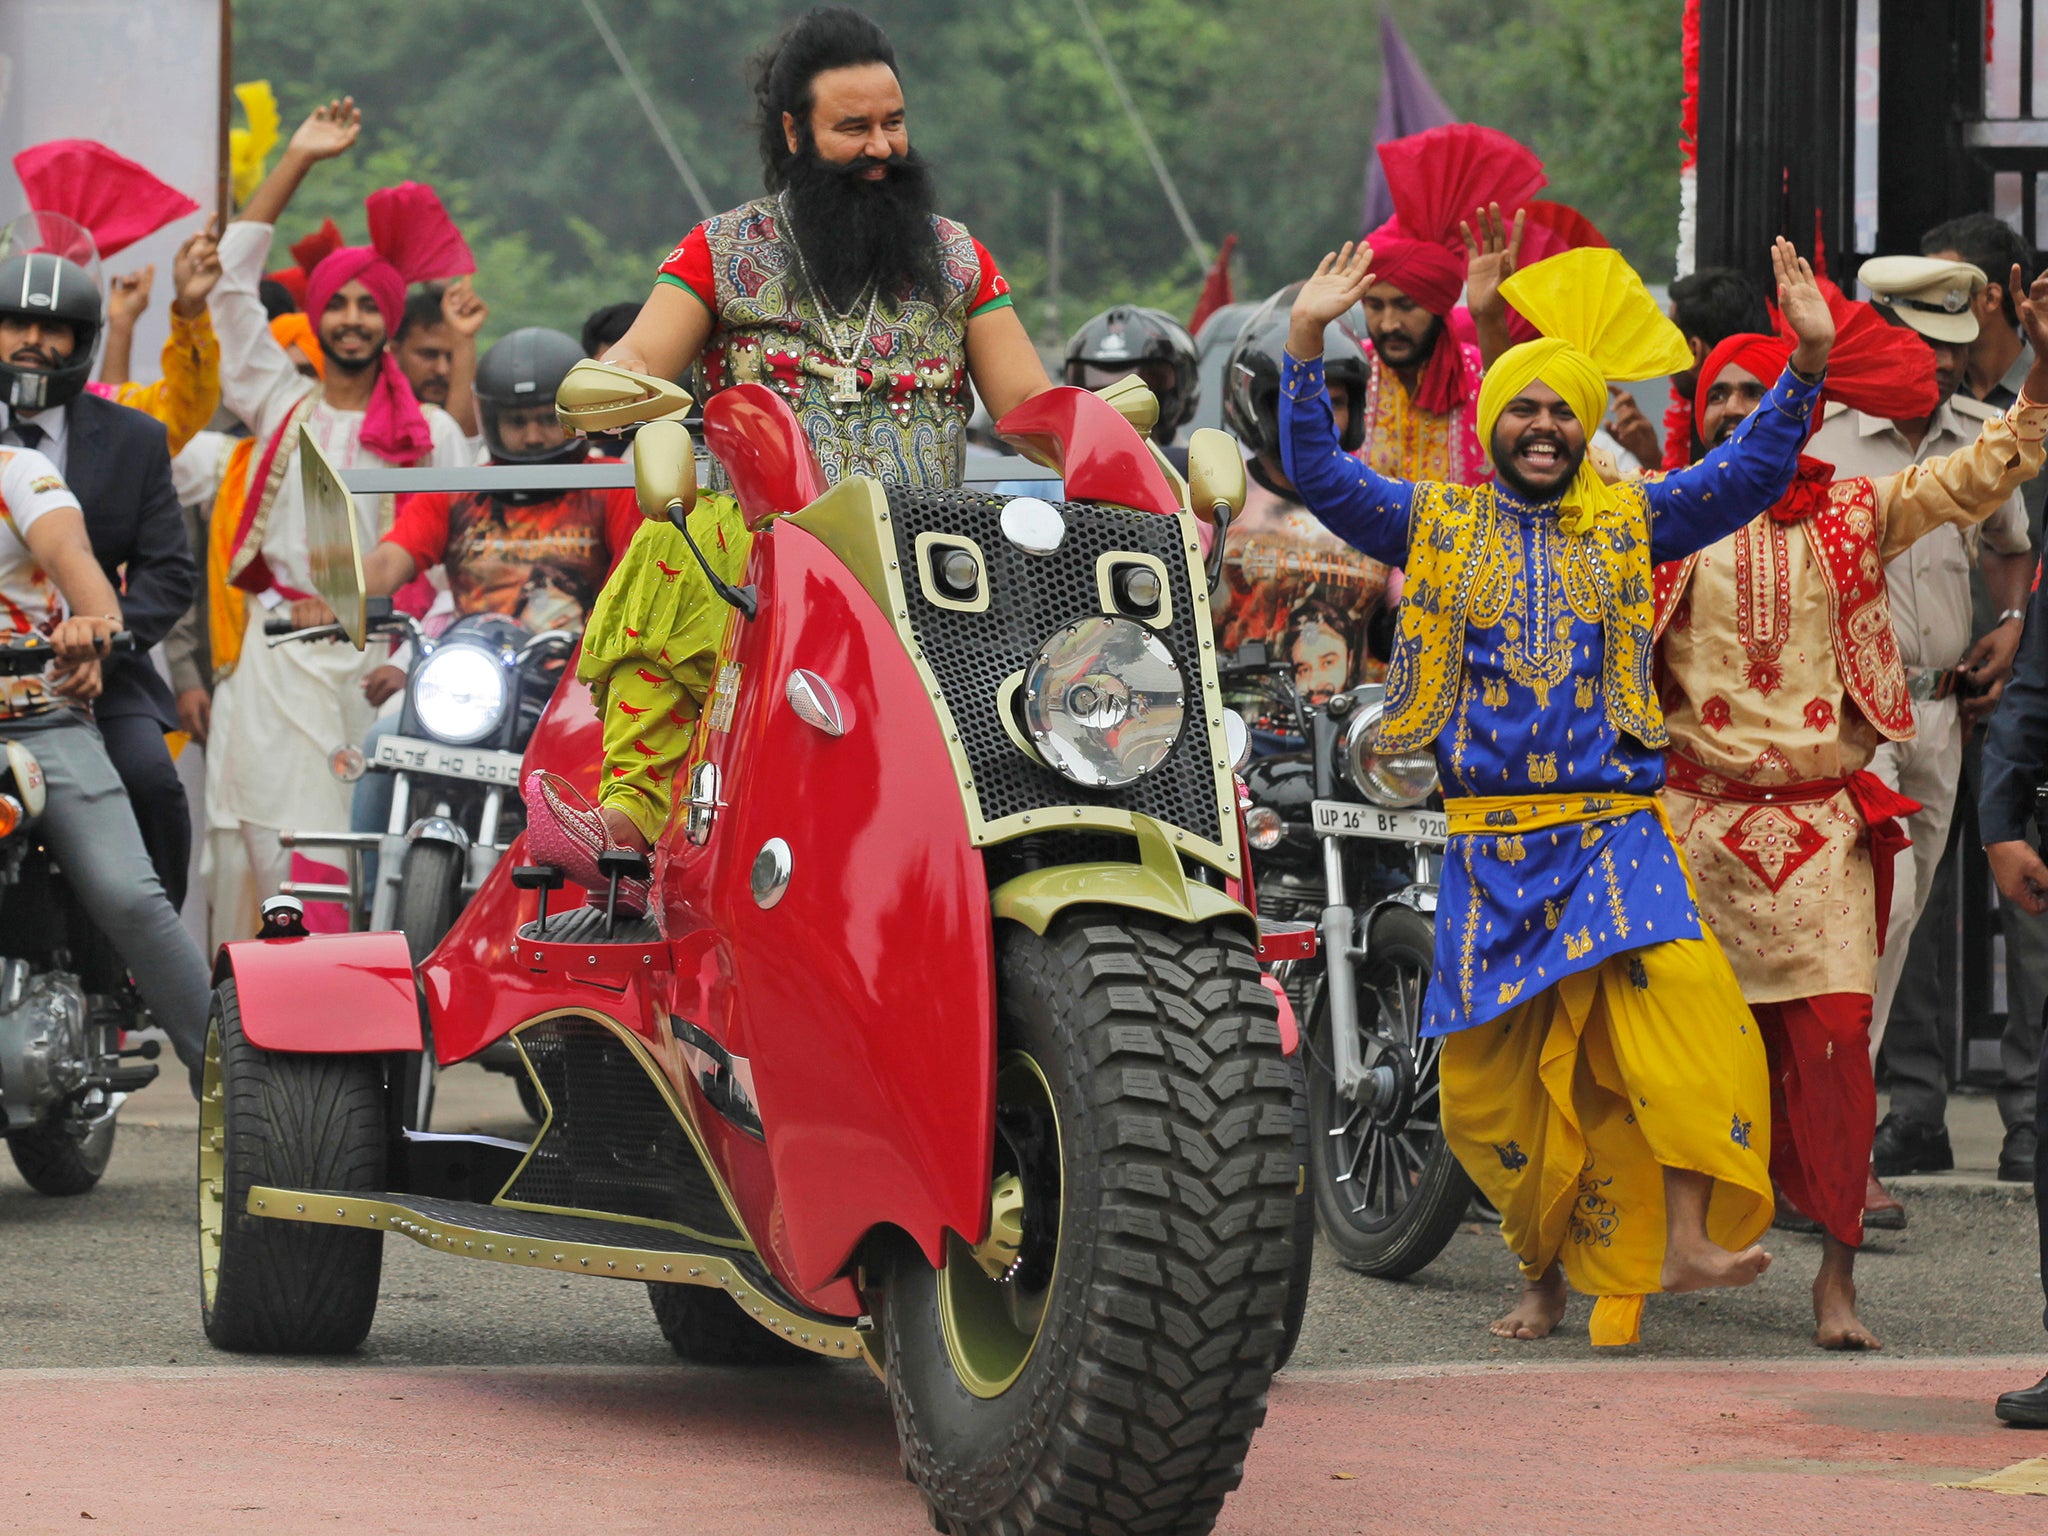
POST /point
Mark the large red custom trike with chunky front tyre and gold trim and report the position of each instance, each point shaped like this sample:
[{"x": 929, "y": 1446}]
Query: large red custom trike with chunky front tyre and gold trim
[{"x": 943, "y": 1043}]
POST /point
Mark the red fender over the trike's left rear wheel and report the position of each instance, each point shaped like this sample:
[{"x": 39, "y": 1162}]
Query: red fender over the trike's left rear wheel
[{"x": 331, "y": 994}]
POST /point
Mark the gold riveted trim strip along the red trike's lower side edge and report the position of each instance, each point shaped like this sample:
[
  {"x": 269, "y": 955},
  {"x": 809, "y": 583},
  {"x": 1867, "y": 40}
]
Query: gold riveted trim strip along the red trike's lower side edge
[{"x": 605, "y": 1261}]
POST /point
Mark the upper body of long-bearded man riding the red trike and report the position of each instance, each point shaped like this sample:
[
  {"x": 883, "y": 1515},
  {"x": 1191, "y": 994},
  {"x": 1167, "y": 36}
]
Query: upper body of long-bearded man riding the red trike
[{"x": 843, "y": 290}]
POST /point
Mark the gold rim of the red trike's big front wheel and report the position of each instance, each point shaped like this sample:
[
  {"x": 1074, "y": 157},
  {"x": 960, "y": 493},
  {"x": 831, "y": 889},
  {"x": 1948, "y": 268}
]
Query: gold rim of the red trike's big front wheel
[{"x": 990, "y": 1324}]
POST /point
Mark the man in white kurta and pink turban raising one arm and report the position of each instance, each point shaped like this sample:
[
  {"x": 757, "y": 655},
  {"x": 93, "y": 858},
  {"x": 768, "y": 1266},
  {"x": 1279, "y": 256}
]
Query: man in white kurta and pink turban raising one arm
[{"x": 282, "y": 712}]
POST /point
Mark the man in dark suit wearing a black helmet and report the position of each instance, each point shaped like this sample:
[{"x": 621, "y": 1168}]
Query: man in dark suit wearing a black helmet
[{"x": 118, "y": 464}]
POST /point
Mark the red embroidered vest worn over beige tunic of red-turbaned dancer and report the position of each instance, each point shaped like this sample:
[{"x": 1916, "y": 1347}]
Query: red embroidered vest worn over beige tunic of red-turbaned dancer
[{"x": 1844, "y": 538}]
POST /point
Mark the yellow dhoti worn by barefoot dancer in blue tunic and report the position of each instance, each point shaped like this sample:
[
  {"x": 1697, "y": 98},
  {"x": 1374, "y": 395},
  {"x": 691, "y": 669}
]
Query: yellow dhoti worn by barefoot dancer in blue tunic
[{"x": 1568, "y": 1111}]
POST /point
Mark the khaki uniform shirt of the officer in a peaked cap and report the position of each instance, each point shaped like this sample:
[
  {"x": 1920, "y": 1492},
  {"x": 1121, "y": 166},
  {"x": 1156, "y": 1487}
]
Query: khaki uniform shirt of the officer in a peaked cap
[{"x": 1930, "y": 585}]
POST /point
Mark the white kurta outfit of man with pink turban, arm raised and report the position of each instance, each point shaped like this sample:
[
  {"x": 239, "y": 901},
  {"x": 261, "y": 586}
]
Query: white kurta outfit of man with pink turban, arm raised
[{"x": 282, "y": 712}]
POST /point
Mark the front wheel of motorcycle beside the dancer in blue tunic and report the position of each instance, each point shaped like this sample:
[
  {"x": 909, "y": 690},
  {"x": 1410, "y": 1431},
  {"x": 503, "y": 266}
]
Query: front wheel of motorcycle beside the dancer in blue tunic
[{"x": 1388, "y": 1189}]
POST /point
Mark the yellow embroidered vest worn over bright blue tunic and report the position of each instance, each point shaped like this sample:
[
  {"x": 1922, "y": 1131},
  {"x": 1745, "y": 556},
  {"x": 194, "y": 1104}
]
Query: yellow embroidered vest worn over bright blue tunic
[{"x": 1455, "y": 548}]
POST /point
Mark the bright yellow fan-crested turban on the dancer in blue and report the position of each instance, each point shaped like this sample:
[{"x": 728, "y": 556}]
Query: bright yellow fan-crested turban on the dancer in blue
[{"x": 1598, "y": 323}]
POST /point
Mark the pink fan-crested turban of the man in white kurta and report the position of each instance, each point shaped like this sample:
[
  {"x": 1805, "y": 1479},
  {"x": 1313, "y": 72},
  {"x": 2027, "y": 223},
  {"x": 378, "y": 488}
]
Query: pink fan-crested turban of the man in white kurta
[{"x": 413, "y": 241}]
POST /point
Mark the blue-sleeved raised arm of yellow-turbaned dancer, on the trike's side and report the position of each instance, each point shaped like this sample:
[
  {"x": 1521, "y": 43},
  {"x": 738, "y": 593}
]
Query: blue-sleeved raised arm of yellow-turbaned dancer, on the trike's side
[{"x": 1351, "y": 499}]
